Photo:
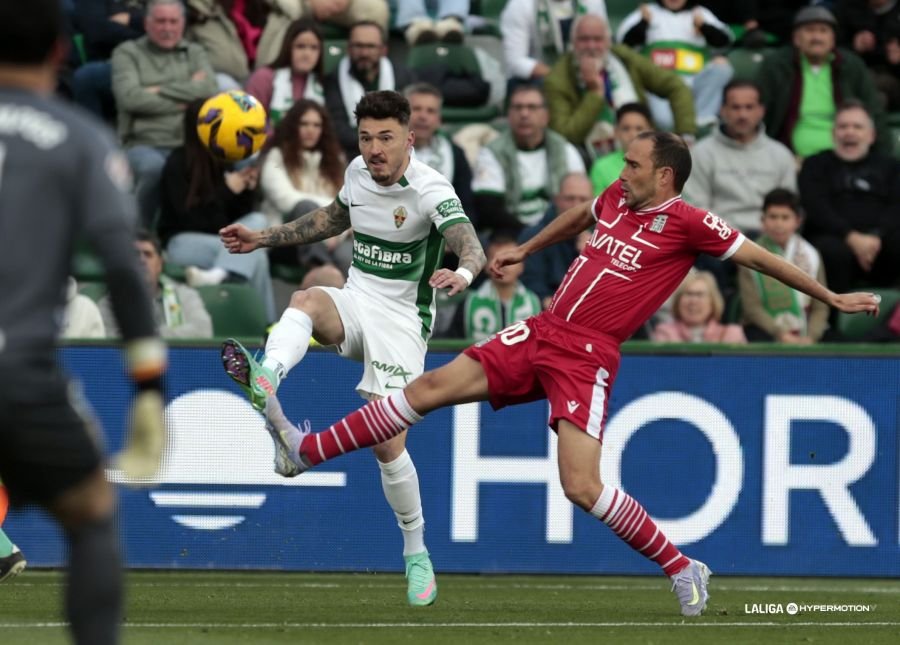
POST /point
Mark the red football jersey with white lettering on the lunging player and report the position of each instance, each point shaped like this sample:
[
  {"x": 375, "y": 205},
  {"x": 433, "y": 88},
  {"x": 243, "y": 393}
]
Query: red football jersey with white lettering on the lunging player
[{"x": 635, "y": 260}]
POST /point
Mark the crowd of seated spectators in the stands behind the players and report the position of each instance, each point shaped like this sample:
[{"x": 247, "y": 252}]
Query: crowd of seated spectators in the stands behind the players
[{"x": 793, "y": 149}]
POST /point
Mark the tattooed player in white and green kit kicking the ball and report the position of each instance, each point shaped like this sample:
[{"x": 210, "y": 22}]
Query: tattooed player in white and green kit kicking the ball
[{"x": 401, "y": 212}]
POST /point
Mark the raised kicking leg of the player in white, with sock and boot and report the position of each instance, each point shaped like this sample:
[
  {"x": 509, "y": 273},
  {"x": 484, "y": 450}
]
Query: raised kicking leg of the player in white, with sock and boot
[{"x": 311, "y": 312}]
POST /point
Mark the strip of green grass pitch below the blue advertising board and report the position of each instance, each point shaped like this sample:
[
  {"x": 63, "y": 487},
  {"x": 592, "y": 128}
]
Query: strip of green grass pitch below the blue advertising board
[{"x": 223, "y": 607}]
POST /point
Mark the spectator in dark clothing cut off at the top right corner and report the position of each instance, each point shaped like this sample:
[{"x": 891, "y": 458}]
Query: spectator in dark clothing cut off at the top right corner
[{"x": 872, "y": 30}]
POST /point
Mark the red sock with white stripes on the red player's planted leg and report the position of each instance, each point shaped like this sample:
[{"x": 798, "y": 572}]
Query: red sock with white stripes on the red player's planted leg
[{"x": 628, "y": 519}]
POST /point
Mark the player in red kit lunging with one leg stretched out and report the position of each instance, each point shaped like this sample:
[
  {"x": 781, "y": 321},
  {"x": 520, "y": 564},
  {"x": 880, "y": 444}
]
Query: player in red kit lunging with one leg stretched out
[{"x": 646, "y": 239}]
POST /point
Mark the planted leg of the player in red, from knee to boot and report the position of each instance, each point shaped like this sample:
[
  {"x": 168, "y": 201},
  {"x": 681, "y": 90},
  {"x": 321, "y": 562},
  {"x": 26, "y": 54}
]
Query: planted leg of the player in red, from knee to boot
[{"x": 579, "y": 471}]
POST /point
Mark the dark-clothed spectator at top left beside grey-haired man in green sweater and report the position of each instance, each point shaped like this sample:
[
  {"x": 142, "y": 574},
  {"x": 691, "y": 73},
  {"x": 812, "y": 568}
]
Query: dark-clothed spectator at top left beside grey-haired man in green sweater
[{"x": 103, "y": 24}]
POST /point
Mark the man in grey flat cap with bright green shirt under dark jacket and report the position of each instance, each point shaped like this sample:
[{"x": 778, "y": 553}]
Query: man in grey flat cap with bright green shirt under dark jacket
[{"x": 803, "y": 84}]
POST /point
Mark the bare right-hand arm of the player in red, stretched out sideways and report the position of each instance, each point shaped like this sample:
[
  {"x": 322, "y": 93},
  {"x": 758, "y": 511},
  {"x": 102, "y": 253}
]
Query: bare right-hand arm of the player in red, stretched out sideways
[{"x": 753, "y": 256}]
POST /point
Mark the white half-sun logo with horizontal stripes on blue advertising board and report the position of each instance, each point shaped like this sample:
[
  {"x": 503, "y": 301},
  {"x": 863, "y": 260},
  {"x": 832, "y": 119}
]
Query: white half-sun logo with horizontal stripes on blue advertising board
[{"x": 217, "y": 439}]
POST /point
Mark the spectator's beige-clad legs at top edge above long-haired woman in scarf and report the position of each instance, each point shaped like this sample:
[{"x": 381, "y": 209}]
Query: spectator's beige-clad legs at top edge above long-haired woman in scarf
[{"x": 344, "y": 13}]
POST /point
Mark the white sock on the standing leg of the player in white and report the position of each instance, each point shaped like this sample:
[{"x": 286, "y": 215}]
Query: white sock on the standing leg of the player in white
[{"x": 401, "y": 489}]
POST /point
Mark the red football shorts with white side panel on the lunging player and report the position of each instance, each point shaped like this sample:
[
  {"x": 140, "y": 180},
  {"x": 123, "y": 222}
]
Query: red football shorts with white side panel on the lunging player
[{"x": 546, "y": 357}]
